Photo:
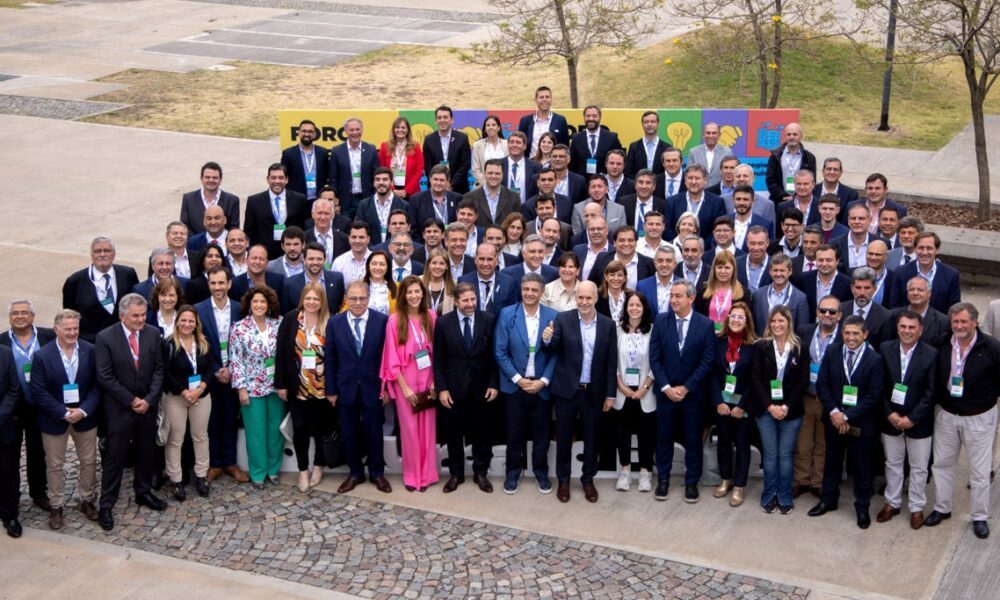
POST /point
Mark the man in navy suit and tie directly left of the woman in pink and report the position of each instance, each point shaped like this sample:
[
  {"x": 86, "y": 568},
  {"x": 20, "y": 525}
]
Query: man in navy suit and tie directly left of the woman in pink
[{"x": 354, "y": 340}]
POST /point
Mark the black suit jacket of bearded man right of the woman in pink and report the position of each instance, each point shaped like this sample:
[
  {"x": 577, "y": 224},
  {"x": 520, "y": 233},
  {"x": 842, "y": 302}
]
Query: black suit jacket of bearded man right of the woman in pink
[{"x": 463, "y": 372}]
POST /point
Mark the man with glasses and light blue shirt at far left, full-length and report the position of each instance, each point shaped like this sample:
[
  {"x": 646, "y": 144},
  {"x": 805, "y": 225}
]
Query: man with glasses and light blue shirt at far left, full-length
[{"x": 25, "y": 339}]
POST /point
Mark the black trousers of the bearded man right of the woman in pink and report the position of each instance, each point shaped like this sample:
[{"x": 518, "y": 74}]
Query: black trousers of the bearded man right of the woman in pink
[{"x": 468, "y": 419}]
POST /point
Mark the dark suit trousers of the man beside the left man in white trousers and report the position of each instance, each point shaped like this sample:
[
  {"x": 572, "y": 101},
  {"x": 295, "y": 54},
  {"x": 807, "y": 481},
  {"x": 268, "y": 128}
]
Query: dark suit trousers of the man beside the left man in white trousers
[{"x": 858, "y": 452}]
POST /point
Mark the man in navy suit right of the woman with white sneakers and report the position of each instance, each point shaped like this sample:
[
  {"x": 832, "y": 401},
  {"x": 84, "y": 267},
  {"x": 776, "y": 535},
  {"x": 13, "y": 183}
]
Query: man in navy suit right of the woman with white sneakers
[{"x": 681, "y": 356}]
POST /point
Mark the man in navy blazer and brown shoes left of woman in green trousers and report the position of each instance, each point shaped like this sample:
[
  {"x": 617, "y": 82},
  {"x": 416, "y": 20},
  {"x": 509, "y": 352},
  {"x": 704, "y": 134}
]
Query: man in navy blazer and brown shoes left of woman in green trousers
[{"x": 218, "y": 315}]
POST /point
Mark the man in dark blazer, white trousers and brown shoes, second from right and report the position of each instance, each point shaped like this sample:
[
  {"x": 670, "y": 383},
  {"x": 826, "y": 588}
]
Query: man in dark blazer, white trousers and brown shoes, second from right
[{"x": 908, "y": 406}]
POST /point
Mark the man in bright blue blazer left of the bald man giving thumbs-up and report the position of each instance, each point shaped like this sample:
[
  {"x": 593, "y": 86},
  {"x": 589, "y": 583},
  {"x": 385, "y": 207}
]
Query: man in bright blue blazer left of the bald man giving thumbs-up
[{"x": 526, "y": 366}]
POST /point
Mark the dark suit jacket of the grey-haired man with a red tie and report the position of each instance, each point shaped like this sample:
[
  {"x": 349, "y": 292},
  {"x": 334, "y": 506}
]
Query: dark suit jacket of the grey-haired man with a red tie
[{"x": 120, "y": 381}]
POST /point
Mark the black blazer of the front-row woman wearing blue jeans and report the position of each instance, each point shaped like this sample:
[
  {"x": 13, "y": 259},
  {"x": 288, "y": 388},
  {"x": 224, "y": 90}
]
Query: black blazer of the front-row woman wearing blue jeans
[{"x": 793, "y": 384}]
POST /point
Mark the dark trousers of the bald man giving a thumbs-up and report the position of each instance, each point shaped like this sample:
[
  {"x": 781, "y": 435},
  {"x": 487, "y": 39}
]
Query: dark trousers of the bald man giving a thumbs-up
[{"x": 567, "y": 410}]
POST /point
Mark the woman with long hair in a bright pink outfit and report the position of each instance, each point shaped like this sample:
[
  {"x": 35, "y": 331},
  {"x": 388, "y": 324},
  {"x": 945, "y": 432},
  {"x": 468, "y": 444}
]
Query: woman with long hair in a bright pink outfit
[{"x": 406, "y": 372}]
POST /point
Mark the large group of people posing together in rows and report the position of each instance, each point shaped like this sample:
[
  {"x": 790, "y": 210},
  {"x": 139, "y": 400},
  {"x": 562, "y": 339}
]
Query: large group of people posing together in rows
[{"x": 541, "y": 287}]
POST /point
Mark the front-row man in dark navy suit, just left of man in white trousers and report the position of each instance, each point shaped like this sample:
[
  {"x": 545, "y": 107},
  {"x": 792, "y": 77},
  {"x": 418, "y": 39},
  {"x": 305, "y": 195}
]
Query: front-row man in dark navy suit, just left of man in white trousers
[{"x": 849, "y": 385}]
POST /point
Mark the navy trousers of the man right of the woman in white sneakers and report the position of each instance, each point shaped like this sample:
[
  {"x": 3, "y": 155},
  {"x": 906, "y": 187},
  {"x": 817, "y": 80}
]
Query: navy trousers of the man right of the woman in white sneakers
[{"x": 691, "y": 414}]
